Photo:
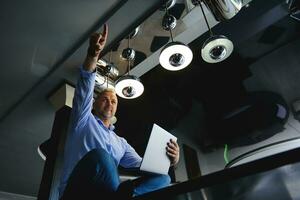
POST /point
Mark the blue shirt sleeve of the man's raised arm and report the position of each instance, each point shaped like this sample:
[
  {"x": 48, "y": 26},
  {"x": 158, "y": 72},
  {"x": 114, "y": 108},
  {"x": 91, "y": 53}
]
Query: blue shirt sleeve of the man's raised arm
[{"x": 83, "y": 98}]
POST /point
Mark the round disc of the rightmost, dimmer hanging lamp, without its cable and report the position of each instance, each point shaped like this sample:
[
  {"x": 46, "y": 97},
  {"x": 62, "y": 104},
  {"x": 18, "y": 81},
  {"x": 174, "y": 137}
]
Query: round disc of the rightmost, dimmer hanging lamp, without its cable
[{"x": 216, "y": 49}]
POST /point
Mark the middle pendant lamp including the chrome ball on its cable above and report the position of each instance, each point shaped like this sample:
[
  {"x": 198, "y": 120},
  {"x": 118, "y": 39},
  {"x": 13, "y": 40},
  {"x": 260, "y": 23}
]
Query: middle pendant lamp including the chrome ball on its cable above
[{"x": 175, "y": 55}]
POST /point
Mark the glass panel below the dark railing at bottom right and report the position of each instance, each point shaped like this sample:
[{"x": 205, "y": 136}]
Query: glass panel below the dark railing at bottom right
[{"x": 281, "y": 183}]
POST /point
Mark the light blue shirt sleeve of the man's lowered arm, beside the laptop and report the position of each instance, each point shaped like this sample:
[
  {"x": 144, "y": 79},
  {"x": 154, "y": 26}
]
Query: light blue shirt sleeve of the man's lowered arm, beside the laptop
[{"x": 130, "y": 158}]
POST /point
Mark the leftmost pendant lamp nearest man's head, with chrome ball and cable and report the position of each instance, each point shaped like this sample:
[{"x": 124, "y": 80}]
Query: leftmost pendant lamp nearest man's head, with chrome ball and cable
[{"x": 129, "y": 86}]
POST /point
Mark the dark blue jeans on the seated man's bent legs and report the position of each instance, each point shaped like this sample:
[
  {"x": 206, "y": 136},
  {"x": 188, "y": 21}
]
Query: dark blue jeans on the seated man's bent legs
[{"x": 96, "y": 174}]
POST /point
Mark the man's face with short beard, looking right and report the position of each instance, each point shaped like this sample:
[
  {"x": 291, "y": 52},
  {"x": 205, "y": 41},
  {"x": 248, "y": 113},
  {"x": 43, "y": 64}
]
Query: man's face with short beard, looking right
[{"x": 105, "y": 105}]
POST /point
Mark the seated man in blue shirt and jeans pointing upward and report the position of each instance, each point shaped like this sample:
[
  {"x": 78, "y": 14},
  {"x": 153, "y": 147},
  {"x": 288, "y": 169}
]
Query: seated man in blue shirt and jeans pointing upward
[{"x": 93, "y": 151}]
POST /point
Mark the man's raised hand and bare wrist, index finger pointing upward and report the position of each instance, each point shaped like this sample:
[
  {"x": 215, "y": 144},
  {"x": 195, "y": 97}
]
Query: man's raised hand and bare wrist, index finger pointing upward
[{"x": 96, "y": 45}]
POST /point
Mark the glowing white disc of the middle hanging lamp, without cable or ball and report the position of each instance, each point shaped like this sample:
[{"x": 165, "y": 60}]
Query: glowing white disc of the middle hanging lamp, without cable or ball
[{"x": 175, "y": 56}]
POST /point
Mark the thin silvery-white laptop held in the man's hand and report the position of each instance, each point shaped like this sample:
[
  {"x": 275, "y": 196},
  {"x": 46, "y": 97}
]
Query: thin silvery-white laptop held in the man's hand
[{"x": 155, "y": 158}]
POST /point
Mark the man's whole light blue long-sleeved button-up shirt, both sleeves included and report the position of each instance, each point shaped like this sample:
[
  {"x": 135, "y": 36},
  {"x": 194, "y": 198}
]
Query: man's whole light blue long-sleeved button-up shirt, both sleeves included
[{"x": 87, "y": 132}]
